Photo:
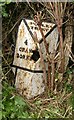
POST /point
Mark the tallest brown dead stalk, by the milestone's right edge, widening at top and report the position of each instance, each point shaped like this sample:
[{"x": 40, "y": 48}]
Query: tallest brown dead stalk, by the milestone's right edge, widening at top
[{"x": 59, "y": 21}]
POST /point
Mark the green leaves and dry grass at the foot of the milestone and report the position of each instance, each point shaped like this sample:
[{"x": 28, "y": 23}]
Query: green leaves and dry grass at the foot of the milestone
[{"x": 56, "y": 105}]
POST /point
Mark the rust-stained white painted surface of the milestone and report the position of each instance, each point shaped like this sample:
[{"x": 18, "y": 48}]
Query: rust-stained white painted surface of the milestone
[{"x": 31, "y": 84}]
